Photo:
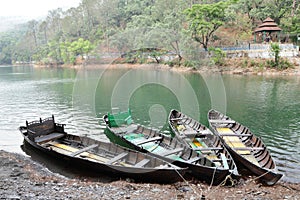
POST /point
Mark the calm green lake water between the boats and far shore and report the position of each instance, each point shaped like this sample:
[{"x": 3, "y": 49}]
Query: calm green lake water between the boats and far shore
[{"x": 269, "y": 106}]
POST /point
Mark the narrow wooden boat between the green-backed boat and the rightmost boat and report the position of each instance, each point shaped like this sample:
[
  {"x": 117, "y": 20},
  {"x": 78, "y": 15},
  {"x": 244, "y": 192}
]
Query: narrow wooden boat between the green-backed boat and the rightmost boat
[{"x": 199, "y": 138}]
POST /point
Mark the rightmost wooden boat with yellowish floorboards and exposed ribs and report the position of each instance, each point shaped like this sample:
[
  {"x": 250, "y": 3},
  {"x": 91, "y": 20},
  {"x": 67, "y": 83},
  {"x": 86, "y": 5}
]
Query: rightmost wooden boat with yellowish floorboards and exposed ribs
[{"x": 249, "y": 152}]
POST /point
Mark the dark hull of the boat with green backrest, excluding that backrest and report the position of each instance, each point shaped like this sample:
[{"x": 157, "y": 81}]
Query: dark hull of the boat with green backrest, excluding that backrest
[{"x": 205, "y": 171}]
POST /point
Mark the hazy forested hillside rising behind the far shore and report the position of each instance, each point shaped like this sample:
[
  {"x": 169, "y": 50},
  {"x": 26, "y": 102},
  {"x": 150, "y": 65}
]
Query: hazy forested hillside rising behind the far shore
[{"x": 160, "y": 26}]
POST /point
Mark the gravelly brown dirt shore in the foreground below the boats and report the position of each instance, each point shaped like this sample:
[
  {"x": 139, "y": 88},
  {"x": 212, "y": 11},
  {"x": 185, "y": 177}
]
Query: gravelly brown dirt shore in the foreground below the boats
[{"x": 23, "y": 178}]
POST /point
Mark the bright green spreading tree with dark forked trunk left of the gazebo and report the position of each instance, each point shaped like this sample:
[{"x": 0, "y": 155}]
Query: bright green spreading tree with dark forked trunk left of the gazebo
[{"x": 204, "y": 20}]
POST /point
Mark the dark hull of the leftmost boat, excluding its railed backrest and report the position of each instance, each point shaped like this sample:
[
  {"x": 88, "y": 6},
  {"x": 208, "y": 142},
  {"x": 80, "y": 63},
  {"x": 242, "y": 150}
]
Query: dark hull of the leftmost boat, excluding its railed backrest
[{"x": 161, "y": 172}]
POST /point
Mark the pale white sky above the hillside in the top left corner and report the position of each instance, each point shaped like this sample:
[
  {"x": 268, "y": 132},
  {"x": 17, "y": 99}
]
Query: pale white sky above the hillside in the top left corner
[{"x": 33, "y": 8}]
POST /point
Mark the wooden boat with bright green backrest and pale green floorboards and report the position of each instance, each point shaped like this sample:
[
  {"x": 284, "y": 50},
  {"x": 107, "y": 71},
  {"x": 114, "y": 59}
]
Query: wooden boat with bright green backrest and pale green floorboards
[{"x": 122, "y": 130}]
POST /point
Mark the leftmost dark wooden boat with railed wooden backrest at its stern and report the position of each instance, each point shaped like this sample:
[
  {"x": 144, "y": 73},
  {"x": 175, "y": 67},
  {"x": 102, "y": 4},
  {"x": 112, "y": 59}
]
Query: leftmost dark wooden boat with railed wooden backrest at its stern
[{"x": 50, "y": 138}]
